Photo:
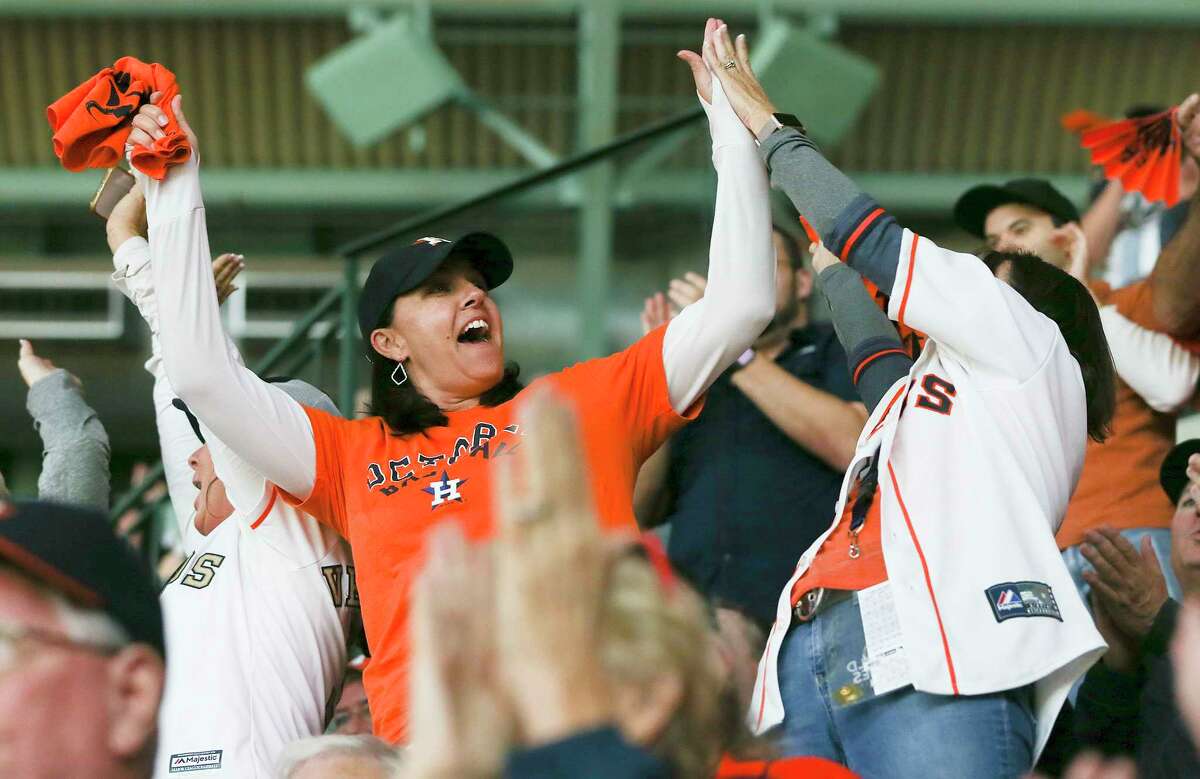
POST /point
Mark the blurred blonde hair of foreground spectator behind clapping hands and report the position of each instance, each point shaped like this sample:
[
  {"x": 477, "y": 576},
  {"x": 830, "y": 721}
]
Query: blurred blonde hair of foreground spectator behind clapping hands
[{"x": 650, "y": 628}]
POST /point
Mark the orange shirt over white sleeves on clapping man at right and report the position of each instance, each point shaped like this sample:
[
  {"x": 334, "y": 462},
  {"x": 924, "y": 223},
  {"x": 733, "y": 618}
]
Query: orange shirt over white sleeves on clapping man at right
[{"x": 1119, "y": 486}]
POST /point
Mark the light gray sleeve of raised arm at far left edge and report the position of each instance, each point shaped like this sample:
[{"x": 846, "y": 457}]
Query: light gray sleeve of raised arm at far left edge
[{"x": 75, "y": 446}]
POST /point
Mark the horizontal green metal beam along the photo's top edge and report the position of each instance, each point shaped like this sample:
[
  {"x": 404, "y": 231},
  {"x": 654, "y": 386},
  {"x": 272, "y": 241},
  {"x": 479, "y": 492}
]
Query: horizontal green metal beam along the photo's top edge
[{"x": 1143, "y": 13}]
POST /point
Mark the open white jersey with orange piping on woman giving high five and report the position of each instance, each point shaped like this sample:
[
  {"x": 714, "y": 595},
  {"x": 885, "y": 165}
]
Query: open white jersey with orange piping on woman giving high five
[{"x": 981, "y": 447}]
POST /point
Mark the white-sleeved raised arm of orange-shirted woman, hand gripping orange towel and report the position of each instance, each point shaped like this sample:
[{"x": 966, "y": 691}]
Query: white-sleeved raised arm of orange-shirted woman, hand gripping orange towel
[{"x": 262, "y": 424}]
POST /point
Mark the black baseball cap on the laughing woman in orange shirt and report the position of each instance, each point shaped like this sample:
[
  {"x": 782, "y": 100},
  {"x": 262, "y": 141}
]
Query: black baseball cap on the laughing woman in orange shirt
[{"x": 406, "y": 268}]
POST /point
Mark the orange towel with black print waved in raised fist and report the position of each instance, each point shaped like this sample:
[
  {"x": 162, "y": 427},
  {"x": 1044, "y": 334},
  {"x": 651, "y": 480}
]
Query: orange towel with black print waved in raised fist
[{"x": 93, "y": 122}]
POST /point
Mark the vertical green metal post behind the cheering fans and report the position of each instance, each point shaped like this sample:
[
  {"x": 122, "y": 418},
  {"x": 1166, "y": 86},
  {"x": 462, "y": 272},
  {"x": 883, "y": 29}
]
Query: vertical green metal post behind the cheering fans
[{"x": 599, "y": 49}]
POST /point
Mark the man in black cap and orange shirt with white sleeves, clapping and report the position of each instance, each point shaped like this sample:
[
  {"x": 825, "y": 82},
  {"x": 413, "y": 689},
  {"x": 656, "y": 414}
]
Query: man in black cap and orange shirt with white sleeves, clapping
[{"x": 1157, "y": 375}]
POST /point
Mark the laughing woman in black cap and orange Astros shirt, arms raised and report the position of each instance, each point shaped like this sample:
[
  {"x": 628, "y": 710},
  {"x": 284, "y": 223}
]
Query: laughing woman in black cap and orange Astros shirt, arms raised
[{"x": 442, "y": 393}]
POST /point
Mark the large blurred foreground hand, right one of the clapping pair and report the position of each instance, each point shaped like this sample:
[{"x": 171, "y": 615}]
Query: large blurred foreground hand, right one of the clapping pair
[{"x": 550, "y": 579}]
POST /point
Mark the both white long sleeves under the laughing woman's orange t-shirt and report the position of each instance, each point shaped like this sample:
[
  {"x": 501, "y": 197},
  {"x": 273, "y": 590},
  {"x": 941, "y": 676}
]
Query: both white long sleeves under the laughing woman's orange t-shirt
[{"x": 273, "y": 434}]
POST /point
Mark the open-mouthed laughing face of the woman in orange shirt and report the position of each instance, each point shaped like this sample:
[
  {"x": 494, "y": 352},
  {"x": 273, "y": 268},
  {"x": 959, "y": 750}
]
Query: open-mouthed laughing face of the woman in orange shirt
[{"x": 449, "y": 334}]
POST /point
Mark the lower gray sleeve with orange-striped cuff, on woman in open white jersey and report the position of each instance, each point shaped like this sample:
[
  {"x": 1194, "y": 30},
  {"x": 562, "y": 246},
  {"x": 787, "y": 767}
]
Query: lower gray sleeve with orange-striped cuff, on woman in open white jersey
[{"x": 874, "y": 351}]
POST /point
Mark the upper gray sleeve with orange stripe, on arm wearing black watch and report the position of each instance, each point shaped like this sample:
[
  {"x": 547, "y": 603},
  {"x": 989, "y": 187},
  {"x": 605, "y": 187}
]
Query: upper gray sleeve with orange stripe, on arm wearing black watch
[{"x": 851, "y": 225}]
